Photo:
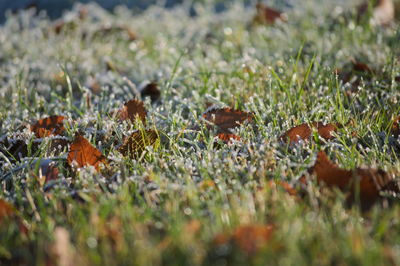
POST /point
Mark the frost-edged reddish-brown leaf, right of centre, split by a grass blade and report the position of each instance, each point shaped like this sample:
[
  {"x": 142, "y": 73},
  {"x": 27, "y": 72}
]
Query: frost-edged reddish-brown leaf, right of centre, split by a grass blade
[{"x": 304, "y": 131}]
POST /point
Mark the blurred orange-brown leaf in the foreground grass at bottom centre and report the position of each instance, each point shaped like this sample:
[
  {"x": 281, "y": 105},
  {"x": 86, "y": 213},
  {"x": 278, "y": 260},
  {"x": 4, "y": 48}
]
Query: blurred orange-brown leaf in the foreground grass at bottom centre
[{"x": 247, "y": 238}]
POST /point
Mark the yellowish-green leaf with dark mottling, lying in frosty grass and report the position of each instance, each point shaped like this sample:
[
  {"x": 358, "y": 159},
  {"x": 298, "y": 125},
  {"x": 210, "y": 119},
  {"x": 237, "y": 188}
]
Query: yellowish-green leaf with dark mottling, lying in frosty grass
[{"x": 135, "y": 144}]
